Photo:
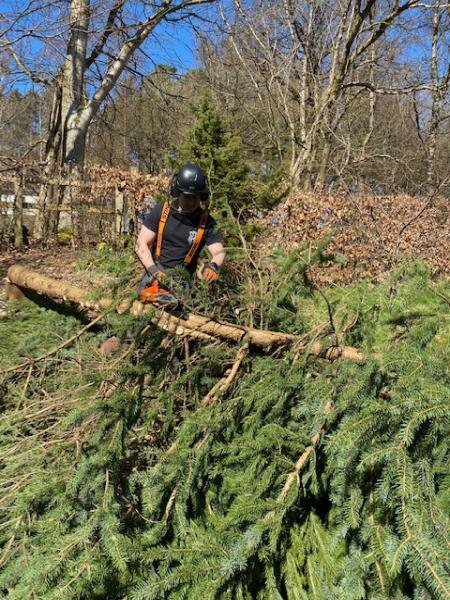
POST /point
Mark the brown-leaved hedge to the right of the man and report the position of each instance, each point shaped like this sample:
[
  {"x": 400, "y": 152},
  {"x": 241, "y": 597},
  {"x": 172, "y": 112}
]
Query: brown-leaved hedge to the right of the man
[{"x": 371, "y": 231}]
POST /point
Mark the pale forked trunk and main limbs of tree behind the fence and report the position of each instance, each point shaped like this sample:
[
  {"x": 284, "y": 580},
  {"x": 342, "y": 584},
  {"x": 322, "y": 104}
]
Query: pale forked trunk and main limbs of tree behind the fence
[{"x": 73, "y": 109}]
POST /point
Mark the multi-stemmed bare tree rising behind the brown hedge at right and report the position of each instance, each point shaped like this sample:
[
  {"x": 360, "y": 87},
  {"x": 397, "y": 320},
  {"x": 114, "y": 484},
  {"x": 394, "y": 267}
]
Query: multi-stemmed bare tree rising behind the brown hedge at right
[{"x": 311, "y": 62}]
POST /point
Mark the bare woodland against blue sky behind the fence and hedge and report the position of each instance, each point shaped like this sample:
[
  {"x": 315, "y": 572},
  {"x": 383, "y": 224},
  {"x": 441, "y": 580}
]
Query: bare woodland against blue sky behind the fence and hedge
[{"x": 330, "y": 95}]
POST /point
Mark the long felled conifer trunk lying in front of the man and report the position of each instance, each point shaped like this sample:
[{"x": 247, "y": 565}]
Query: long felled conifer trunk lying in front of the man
[{"x": 193, "y": 325}]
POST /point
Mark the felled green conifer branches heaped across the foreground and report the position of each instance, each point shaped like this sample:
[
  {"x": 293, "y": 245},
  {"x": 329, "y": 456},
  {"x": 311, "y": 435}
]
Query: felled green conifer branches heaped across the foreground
[{"x": 303, "y": 479}]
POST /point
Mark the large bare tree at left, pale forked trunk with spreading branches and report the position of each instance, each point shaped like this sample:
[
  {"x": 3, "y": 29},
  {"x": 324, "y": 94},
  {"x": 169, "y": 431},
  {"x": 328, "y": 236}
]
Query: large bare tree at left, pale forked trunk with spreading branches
[{"x": 86, "y": 49}]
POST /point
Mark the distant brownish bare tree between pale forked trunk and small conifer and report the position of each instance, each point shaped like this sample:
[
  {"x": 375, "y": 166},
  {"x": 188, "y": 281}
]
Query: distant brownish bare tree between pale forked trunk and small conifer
[{"x": 145, "y": 119}]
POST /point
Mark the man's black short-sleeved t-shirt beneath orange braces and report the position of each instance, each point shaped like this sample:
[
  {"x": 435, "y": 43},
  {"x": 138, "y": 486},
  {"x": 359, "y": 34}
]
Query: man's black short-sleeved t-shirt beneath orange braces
[{"x": 179, "y": 233}]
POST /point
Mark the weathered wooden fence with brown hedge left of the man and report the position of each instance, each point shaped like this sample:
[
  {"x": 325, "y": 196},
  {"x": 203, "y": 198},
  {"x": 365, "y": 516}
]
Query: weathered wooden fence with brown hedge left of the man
[{"x": 102, "y": 208}]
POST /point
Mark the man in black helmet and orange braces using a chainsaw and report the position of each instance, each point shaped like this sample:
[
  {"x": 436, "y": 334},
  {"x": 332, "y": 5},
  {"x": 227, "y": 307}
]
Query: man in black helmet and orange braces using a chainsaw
[{"x": 174, "y": 233}]
